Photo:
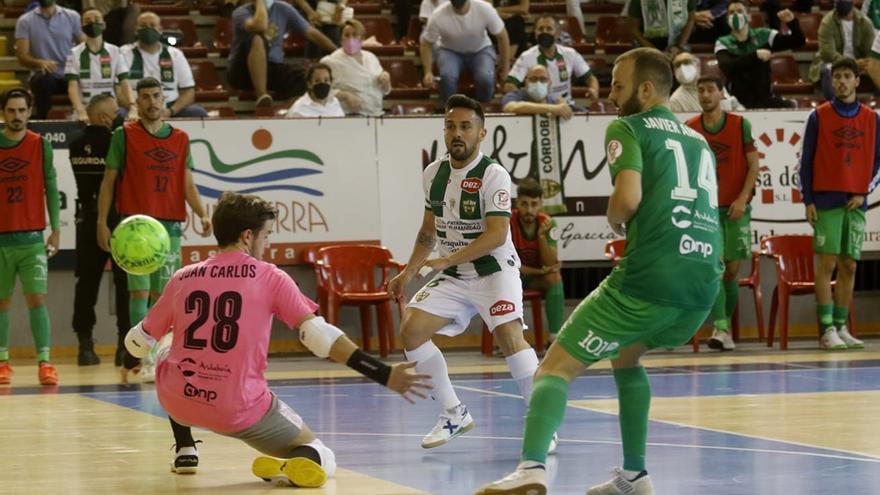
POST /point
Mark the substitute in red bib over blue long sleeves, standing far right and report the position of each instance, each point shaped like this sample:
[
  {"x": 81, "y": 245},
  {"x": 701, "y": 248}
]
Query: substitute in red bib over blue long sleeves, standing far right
[{"x": 838, "y": 170}]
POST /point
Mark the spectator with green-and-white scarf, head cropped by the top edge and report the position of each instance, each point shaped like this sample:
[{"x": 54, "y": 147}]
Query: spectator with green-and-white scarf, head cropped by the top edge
[{"x": 662, "y": 24}]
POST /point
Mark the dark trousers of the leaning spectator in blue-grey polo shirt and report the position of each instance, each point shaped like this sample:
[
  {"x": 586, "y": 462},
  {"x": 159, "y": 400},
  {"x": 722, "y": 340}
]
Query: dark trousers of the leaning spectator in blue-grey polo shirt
[{"x": 285, "y": 80}]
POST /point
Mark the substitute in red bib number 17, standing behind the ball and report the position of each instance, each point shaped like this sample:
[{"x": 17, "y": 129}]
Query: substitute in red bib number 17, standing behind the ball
[{"x": 150, "y": 167}]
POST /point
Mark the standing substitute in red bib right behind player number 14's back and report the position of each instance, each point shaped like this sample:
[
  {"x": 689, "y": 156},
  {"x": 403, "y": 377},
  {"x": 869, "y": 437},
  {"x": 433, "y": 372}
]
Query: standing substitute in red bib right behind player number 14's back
[{"x": 730, "y": 137}]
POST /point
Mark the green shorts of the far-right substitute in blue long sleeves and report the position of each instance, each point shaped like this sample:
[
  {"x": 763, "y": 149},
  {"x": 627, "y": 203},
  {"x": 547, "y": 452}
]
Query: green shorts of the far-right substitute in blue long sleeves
[{"x": 839, "y": 231}]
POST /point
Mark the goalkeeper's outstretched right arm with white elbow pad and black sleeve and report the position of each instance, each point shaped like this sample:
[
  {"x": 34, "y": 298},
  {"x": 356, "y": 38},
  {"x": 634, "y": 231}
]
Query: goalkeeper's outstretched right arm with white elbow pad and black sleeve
[{"x": 325, "y": 340}]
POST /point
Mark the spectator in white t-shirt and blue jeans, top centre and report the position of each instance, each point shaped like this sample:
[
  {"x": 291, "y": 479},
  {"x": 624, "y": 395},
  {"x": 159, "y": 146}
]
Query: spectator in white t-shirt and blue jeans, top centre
[{"x": 459, "y": 29}]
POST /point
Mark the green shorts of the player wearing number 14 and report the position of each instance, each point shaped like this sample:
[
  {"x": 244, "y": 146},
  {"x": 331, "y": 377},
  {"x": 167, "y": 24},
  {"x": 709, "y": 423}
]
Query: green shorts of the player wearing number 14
[{"x": 609, "y": 320}]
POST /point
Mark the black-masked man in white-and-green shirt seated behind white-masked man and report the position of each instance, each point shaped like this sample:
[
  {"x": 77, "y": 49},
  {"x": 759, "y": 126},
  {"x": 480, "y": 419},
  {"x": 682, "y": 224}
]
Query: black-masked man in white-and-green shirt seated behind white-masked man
[{"x": 563, "y": 63}]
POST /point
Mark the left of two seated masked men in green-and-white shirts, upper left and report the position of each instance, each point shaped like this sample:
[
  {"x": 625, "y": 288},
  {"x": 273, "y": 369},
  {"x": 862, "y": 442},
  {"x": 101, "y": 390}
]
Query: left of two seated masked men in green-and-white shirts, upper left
[{"x": 95, "y": 67}]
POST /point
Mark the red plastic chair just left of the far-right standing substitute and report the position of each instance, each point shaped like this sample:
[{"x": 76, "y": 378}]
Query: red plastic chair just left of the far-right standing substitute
[{"x": 795, "y": 275}]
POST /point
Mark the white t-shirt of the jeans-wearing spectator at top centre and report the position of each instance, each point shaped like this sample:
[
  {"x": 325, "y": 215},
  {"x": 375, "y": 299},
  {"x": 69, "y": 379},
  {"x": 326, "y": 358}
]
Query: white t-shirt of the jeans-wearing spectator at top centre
[{"x": 463, "y": 33}]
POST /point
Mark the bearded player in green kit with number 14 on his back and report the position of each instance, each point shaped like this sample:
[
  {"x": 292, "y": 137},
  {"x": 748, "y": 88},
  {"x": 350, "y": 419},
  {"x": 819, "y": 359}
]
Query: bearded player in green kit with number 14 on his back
[{"x": 665, "y": 201}]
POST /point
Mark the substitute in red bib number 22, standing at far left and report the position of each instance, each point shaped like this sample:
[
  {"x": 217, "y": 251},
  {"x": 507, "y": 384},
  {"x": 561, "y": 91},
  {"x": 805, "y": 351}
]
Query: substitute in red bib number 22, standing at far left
[{"x": 27, "y": 190}]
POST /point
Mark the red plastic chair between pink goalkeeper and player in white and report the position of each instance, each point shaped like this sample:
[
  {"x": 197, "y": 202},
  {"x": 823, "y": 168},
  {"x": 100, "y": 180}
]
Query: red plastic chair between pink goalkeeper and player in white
[{"x": 348, "y": 274}]
